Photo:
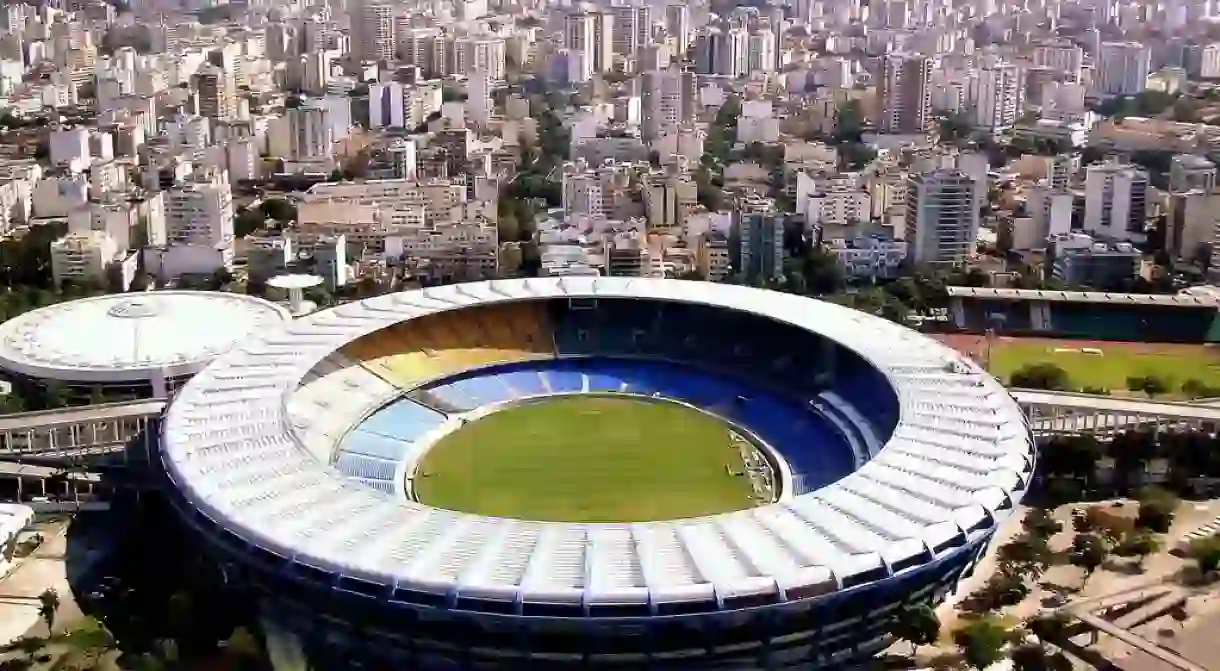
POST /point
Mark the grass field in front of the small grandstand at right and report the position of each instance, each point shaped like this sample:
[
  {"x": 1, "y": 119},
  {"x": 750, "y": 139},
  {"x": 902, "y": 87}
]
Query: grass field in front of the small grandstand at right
[{"x": 1118, "y": 362}]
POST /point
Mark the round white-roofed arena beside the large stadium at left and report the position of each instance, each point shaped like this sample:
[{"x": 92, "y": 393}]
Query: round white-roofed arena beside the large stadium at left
[{"x": 140, "y": 345}]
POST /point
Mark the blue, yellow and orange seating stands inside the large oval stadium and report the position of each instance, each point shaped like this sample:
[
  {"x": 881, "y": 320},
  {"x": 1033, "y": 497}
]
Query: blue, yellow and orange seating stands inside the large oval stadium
[{"x": 823, "y": 408}]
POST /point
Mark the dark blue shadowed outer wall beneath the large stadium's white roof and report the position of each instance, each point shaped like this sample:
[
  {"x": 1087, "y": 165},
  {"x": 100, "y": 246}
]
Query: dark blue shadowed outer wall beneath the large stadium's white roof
[{"x": 341, "y": 628}]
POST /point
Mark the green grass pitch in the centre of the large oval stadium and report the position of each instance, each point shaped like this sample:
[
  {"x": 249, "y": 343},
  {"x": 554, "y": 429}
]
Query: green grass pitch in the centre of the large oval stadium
[{"x": 600, "y": 459}]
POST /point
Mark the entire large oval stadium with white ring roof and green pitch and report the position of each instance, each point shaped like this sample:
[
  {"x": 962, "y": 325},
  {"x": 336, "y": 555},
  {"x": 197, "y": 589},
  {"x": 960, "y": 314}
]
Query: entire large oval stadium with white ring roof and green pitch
[{"x": 600, "y": 472}]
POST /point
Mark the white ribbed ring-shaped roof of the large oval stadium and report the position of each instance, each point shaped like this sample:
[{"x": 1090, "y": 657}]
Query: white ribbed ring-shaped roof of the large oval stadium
[{"x": 232, "y": 443}]
